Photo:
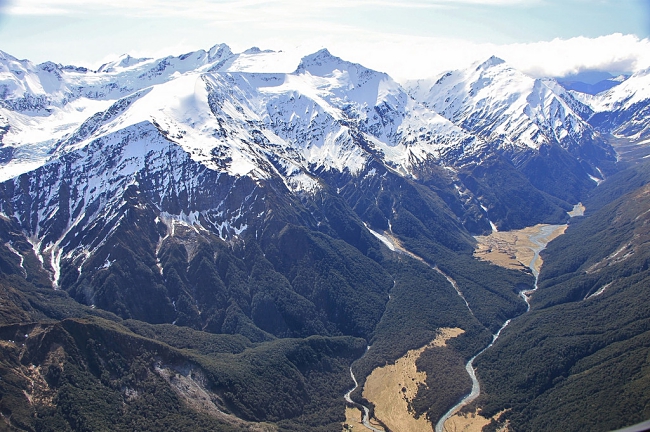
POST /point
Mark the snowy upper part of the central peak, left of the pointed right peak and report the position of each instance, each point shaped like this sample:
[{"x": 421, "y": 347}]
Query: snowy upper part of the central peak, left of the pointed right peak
[{"x": 322, "y": 110}]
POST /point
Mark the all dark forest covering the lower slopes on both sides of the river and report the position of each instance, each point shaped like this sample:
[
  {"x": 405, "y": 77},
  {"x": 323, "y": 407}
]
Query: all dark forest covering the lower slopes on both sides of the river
[{"x": 154, "y": 331}]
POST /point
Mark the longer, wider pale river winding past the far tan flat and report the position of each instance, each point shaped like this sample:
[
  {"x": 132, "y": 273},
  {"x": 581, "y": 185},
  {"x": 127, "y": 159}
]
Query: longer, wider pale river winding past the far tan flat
[{"x": 540, "y": 244}]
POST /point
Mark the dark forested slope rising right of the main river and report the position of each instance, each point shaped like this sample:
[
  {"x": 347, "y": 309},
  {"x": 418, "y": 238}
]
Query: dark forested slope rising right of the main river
[{"x": 584, "y": 346}]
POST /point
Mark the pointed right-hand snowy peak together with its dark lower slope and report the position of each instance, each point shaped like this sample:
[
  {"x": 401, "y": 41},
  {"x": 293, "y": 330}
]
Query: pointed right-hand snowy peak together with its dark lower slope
[{"x": 534, "y": 123}]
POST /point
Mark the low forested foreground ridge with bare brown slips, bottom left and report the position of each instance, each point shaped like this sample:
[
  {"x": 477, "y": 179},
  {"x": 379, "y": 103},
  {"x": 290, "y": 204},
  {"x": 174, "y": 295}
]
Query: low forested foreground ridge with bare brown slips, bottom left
[{"x": 78, "y": 373}]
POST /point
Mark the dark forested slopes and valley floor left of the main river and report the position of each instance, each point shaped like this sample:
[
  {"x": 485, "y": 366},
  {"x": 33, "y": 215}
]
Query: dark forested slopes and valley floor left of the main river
[{"x": 271, "y": 323}]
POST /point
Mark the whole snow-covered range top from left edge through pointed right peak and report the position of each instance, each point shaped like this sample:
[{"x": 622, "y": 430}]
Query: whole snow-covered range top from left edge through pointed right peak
[{"x": 246, "y": 114}]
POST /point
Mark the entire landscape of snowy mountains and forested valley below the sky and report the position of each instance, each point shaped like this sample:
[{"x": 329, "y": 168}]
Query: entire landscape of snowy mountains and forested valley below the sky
[{"x": 202, "y": 242}]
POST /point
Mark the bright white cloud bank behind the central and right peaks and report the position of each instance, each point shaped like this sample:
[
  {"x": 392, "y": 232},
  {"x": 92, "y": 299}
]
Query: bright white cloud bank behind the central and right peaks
[{"x": 408, "y": 57}]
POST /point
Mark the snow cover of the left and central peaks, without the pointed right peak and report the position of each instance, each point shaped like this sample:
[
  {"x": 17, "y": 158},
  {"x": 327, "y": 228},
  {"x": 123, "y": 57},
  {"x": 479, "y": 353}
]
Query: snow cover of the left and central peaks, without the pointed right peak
[{"x": 261, "y": 125}]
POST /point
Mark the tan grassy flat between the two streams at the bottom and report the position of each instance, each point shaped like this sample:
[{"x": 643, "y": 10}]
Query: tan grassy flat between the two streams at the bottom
[{"x": 392, "y": 387}]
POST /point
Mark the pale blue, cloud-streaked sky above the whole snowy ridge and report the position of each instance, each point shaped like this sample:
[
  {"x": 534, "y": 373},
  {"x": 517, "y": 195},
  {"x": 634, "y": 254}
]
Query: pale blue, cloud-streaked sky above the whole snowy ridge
[{"x": 409, "y": 38}]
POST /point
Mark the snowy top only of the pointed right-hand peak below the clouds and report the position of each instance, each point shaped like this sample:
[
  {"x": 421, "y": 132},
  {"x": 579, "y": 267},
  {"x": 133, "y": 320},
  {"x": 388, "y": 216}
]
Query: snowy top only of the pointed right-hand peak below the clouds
[{"x": 508, "y": 108}]
